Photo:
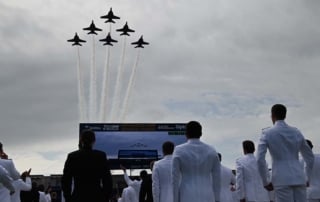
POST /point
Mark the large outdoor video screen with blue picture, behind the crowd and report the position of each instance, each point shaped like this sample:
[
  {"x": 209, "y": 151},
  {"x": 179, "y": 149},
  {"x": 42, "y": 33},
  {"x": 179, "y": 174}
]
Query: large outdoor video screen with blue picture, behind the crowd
[{"x": 134, "y": 144}]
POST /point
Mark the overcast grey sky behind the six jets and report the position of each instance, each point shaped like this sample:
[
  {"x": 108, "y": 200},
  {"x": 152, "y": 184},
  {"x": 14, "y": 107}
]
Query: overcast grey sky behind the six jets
[{"x": 221, "y": 62}]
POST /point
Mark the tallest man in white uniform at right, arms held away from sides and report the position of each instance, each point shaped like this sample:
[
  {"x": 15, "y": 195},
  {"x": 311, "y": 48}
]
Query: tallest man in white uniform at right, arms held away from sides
[{"x": 284, "y": 144}]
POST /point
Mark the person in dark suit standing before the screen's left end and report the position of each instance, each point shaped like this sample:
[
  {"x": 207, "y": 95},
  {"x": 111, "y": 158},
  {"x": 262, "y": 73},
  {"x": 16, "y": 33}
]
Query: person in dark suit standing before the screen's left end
[{"x": 88, "y": 170}]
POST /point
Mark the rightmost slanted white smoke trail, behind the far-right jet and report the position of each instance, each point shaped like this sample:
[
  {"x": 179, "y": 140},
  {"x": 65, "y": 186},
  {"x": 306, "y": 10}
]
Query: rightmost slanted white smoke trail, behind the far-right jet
[{"x": 128, "y": 92}]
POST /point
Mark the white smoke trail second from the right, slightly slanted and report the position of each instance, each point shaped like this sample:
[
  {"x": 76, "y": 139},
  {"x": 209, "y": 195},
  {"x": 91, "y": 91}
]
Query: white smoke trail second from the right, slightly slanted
[{"x": 116, "y": 100}]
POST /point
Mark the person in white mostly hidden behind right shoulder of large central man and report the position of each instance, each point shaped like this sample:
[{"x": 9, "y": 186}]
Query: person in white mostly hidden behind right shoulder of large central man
[{"x": 228, "y": 182}]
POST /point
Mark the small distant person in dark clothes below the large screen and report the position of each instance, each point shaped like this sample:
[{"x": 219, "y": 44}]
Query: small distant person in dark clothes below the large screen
[{"x": 145, "y": 194}]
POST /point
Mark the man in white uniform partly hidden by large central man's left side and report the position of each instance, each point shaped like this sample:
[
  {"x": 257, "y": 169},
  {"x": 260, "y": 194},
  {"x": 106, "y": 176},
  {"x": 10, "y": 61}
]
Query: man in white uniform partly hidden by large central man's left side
[{"x": 161, "y": 175}]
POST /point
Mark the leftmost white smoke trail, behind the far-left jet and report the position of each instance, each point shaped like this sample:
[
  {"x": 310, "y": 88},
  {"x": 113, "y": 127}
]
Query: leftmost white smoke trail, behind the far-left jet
[{"x": 81, "y": 99}]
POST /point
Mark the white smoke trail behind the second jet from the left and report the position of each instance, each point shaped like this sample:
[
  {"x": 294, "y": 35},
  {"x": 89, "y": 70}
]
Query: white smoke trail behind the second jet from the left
[{"x": 93, "y": 85}]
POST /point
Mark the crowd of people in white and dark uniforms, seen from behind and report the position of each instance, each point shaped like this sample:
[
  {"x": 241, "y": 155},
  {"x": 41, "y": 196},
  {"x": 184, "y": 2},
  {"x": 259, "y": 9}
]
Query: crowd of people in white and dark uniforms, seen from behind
[{"x": 194, "y": 172}]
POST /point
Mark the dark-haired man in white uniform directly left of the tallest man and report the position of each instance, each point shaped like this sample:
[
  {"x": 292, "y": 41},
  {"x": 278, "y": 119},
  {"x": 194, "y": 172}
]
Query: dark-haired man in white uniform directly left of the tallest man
[{"x": 249, "y": 185}]
